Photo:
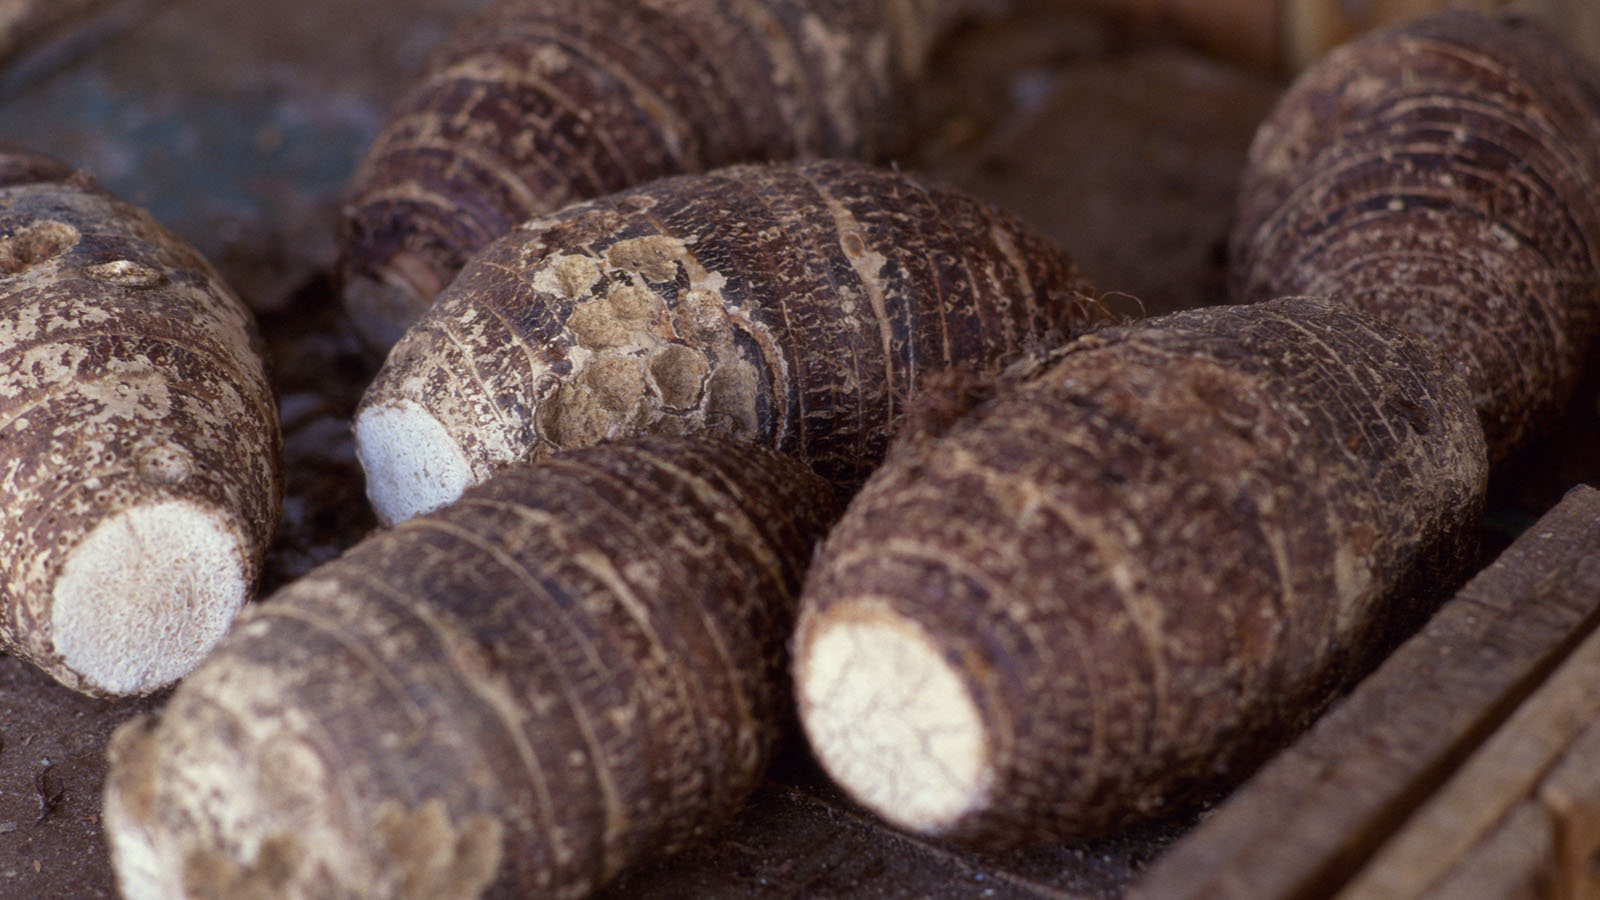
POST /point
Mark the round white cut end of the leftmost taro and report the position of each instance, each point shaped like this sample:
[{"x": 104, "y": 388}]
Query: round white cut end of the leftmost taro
[{"x": 148, "y": 593}]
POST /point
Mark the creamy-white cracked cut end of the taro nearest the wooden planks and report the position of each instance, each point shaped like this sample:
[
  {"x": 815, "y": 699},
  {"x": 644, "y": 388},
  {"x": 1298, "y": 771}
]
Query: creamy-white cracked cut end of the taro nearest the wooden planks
[{"x": 894, "y": 721}]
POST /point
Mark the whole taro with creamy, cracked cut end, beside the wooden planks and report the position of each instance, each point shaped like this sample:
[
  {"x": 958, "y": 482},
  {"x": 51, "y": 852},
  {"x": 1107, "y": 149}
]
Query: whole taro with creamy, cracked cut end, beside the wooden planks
[{"x": 1130, "y": 576}]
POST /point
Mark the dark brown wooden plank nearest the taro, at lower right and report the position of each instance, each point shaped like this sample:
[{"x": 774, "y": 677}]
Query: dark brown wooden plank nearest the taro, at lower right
[{"x": 1308, "y": 822}]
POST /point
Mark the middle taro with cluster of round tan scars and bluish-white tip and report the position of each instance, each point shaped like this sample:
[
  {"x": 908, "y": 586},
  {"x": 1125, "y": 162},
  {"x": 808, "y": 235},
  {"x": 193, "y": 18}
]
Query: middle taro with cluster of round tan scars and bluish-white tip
[{"x": 798, "y": 307}]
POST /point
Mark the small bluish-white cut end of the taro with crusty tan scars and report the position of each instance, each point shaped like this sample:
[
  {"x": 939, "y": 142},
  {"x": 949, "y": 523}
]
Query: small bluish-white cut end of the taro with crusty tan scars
[{"x": 412, "y": 464}]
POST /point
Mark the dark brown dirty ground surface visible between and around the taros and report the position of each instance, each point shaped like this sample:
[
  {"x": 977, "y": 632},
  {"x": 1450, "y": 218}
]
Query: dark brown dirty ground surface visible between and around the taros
[{"x": 238, "y": 126}]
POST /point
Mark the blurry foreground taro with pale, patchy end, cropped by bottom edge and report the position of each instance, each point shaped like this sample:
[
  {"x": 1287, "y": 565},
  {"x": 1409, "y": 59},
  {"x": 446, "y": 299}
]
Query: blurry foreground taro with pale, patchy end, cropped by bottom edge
[{"x": 577, "y": 665}]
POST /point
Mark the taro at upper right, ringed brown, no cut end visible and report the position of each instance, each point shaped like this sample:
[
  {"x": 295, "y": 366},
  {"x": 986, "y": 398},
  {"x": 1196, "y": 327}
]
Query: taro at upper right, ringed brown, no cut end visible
[{"x": 1444, "y": 177}]
